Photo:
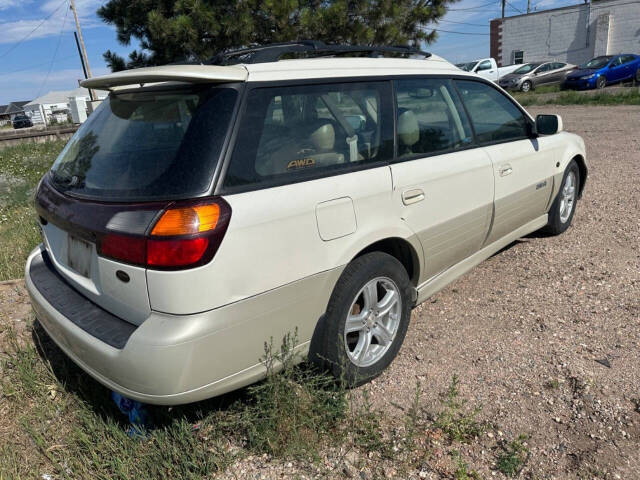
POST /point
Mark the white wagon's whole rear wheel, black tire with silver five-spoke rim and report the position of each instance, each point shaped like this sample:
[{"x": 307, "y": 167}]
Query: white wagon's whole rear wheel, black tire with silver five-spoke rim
[{"x": 352, "y": 296}]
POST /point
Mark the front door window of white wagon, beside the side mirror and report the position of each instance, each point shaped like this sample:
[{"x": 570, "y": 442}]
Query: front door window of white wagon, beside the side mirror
[{"x": 495, "y": 118}]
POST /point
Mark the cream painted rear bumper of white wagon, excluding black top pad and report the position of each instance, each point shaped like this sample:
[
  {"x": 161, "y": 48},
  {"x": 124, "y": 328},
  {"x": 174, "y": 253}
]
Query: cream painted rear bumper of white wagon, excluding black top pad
[{"x": 171, "y": 359}]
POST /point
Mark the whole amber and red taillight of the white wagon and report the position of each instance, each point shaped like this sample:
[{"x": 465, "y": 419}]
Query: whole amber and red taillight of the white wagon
[{"x": 185, "y": 235}]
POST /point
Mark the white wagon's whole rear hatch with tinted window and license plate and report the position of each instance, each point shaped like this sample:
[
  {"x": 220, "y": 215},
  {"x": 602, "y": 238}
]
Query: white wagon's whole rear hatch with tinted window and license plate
[{"x": 140, "y": 153}]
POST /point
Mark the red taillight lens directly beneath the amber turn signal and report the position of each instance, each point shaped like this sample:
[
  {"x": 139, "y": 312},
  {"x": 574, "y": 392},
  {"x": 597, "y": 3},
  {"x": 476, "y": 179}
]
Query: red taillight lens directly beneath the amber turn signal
[{"x": 175, "y": 253}]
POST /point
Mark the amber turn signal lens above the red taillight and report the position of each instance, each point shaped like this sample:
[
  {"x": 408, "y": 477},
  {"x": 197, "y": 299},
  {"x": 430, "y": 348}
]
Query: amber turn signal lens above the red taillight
[{"x": 187, "y": 220}]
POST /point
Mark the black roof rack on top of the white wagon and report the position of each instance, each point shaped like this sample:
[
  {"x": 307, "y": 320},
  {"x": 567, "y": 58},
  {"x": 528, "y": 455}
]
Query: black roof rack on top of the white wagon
[{"x": 314, "y": 48}]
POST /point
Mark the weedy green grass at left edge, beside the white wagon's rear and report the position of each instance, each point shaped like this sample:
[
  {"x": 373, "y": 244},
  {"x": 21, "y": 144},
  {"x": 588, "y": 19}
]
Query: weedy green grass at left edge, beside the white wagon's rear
[{"x": 21, "y": 168}]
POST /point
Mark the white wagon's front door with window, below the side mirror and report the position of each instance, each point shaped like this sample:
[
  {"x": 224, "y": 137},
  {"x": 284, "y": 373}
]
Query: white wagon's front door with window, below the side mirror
[{"x": 522, "y": 166}]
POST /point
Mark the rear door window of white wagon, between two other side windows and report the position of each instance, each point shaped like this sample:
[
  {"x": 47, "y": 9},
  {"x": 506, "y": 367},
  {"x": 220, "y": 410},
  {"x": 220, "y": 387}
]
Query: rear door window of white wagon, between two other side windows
[{"x": 430, "y": 117}]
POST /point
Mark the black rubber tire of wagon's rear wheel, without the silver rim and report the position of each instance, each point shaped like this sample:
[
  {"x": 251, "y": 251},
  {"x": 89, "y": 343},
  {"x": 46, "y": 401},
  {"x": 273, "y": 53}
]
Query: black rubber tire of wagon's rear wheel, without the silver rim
[{"x": 355, "y": 276}]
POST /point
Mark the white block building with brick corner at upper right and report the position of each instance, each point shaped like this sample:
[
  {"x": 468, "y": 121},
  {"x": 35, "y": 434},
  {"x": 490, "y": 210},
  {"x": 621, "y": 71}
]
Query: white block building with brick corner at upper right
[{"x": 569, "y": 34}]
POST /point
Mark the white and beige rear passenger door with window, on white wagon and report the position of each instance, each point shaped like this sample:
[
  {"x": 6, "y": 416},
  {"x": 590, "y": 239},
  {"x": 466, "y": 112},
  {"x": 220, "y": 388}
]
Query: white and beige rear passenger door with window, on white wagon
[{"x": 442, "y": 186}]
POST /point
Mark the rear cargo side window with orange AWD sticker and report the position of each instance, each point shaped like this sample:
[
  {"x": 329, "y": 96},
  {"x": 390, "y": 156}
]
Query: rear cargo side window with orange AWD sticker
[{"x": 289, "y": 134}]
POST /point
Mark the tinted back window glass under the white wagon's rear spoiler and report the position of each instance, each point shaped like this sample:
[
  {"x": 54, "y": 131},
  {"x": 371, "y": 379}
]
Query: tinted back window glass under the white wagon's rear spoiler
[{"x": 147, "y": 145}]
